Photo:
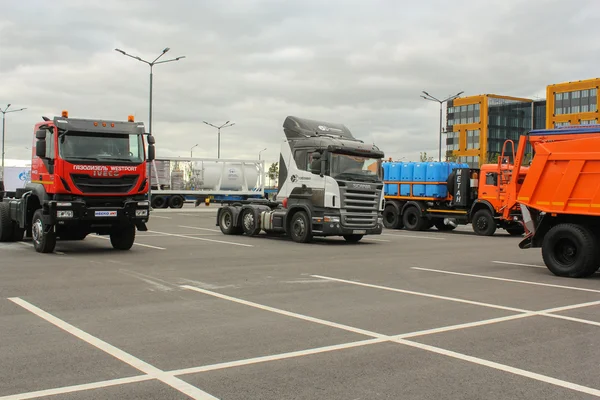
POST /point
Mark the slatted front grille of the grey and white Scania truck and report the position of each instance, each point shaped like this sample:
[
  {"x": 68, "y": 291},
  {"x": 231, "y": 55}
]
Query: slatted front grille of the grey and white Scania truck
[{"x": 359, "y": 207}]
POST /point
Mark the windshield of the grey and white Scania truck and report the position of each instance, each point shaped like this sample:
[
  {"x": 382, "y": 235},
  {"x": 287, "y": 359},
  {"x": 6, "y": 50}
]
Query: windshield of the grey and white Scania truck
[{"x": 358, "y": 168}]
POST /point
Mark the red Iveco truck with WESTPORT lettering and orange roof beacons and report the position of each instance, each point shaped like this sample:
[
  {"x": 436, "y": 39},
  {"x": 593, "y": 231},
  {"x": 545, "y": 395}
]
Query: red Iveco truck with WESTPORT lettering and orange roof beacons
[{"x": 87, "y": 176}]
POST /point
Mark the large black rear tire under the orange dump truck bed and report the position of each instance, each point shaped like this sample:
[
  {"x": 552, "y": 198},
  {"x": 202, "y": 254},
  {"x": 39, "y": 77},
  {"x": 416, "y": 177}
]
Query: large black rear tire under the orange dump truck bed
[{"x": 570, "y": 250}]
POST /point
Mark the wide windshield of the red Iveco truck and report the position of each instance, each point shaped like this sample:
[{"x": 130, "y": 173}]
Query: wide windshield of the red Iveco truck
[{"x": 101, "y": 147}]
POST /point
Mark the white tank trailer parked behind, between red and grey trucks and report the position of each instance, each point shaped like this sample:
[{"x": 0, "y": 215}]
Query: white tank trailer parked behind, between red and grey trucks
[{"x": 177, "y": 180}]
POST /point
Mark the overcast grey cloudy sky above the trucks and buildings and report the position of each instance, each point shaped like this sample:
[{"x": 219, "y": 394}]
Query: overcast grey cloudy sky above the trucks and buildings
[{"x": 254, "y": 62}]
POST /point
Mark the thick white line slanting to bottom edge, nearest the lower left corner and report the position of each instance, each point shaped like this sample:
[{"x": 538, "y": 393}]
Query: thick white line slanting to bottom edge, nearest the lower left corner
[{"x": 119, "y": 354}]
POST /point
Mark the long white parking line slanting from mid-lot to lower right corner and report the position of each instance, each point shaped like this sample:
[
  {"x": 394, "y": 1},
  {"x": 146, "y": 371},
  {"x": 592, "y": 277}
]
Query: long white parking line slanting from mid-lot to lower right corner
[{"x": 433, "y": 349}]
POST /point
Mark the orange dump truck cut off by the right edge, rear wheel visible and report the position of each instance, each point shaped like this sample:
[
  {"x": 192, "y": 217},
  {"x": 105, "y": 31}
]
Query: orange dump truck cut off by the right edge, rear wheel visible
[{"x": 560, "y": 198}]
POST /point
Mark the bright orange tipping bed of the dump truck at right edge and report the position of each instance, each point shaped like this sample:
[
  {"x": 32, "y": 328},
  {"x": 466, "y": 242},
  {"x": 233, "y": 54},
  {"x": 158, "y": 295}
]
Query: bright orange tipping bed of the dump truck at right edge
[{"x": 564, "y": 176}]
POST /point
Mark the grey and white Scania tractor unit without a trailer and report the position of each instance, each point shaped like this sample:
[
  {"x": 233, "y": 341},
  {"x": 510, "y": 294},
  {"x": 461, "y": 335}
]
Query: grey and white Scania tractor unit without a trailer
[{"x": 330, "y": 184}]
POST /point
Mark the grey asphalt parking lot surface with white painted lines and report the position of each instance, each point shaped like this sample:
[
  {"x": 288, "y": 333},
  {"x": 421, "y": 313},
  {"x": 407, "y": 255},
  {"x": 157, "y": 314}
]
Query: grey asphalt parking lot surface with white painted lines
[{"x": 192, "y": 313}]
